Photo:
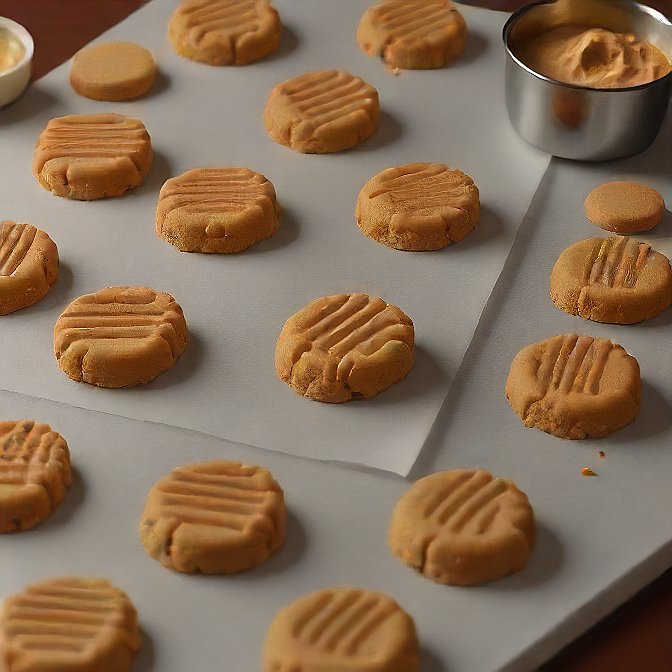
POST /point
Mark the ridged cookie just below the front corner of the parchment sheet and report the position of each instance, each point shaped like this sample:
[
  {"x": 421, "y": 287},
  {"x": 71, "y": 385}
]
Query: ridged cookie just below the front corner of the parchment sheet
[{"x": 463, "y": 527}]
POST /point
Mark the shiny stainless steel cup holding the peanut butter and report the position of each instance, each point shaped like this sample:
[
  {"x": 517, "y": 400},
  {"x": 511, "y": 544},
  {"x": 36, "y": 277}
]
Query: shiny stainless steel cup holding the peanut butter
[{"x": 576, "y": 122}]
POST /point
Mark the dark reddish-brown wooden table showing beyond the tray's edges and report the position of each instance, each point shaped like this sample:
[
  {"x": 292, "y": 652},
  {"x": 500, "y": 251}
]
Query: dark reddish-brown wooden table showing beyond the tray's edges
[{"x": 637, "y": 637}]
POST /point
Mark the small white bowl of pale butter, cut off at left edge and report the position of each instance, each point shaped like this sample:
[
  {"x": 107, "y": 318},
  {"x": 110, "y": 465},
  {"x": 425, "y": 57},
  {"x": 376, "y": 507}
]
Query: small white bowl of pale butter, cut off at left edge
[{"x": 16, "y": 58}]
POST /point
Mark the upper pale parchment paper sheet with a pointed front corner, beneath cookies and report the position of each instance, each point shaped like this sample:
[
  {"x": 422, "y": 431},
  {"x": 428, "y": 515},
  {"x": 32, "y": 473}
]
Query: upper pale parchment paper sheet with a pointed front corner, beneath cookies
[{"x": 235, "y": 305}]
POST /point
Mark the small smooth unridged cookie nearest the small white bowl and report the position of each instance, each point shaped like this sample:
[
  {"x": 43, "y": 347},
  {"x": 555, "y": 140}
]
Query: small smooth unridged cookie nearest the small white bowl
[{"x": 112, "y": 71}]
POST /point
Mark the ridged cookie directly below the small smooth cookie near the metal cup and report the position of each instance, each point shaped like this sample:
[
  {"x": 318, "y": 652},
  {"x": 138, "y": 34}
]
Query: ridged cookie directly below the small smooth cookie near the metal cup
[{"x": 614, "y": 280}]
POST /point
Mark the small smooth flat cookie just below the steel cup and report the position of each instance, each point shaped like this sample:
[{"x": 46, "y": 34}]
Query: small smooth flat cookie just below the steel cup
[{"x": 624, "y": 207}]
